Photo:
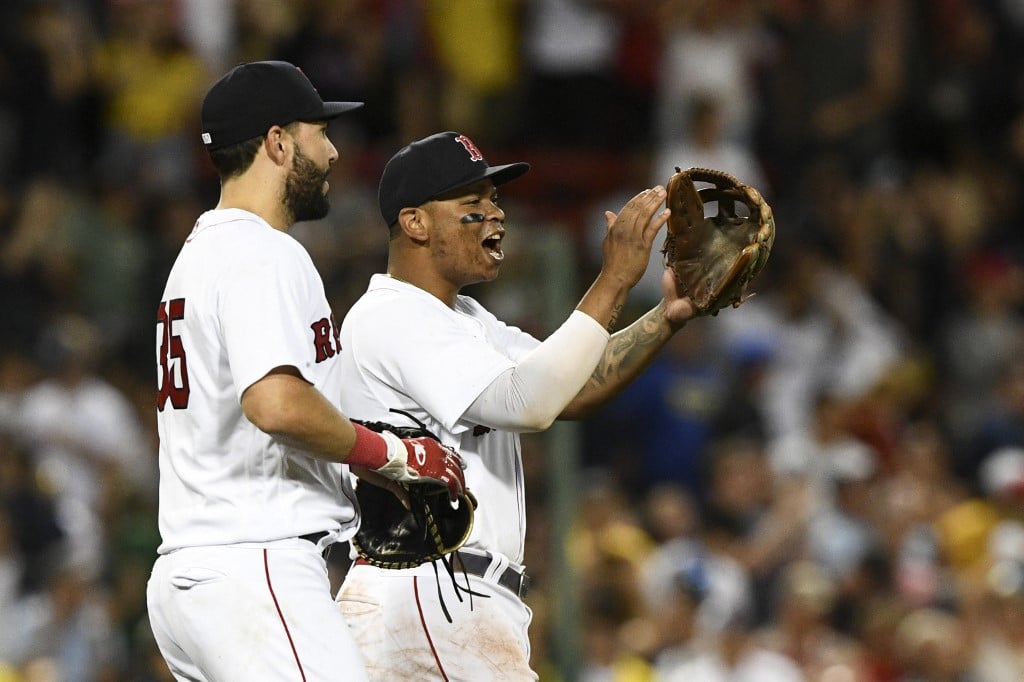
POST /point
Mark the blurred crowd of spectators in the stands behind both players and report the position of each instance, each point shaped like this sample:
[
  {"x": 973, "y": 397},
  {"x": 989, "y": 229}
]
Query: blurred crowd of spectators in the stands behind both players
[{"x": 826, "y": 485}]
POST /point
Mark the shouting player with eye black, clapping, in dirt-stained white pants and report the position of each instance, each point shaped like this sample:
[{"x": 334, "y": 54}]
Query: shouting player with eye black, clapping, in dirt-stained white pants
[{"x": 478, "y": 383}]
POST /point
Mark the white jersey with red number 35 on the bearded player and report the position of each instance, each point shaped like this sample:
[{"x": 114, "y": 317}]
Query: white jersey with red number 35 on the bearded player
[{"x": 242, "y": 300}]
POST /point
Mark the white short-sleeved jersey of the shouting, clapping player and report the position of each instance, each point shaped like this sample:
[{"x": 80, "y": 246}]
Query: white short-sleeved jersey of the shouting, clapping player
[{"x": 403, "y": 349}]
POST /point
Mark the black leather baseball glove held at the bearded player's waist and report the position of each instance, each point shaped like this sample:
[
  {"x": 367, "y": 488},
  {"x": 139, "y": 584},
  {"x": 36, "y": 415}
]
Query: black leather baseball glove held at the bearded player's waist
[{"x": 393, "y": 537}]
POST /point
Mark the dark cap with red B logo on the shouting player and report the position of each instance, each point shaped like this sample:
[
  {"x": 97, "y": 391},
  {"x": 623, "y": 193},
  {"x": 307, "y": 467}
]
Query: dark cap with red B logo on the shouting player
[{"x": 430, "y": 167}]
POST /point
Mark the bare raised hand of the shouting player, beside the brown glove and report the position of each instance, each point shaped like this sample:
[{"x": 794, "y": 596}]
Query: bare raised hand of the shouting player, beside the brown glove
[{"x": 631, "y": 235}]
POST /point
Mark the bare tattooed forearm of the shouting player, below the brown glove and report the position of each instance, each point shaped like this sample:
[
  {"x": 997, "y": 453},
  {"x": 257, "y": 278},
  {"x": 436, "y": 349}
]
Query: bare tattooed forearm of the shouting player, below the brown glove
[{"x": 628, "y": 354}]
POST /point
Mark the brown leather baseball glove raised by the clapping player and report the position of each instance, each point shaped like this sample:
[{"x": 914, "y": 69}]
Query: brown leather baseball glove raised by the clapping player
[{"x": 716, "y": 258}]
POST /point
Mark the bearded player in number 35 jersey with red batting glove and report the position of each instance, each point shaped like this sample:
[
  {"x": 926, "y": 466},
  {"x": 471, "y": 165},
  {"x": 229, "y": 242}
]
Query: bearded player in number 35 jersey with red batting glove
[{"x": 252, "y": 486}]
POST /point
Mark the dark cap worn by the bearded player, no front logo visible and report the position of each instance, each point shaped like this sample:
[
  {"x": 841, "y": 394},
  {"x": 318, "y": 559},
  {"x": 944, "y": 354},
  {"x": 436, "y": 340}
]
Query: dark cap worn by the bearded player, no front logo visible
[{"x": 251, "y": 98}]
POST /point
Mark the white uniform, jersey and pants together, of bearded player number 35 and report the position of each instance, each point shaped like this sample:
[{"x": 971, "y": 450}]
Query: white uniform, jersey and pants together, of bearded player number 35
[{"x": 237, "y": 593}]
